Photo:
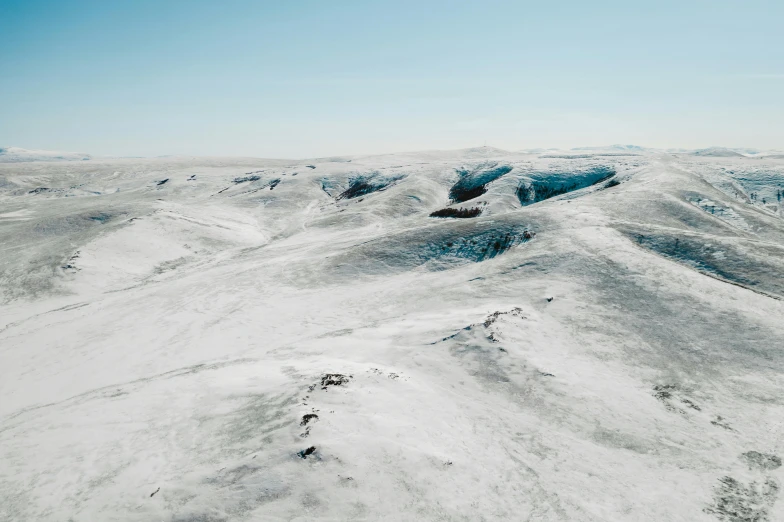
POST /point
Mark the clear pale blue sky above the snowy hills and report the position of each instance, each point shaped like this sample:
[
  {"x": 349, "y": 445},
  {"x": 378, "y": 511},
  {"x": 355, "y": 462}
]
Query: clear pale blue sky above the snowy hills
[{"x": 299, "y": 79}]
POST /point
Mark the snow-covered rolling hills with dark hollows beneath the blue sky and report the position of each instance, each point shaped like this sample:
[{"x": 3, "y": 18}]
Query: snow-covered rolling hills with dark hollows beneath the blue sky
[{"x": 269, "y": 340}]
